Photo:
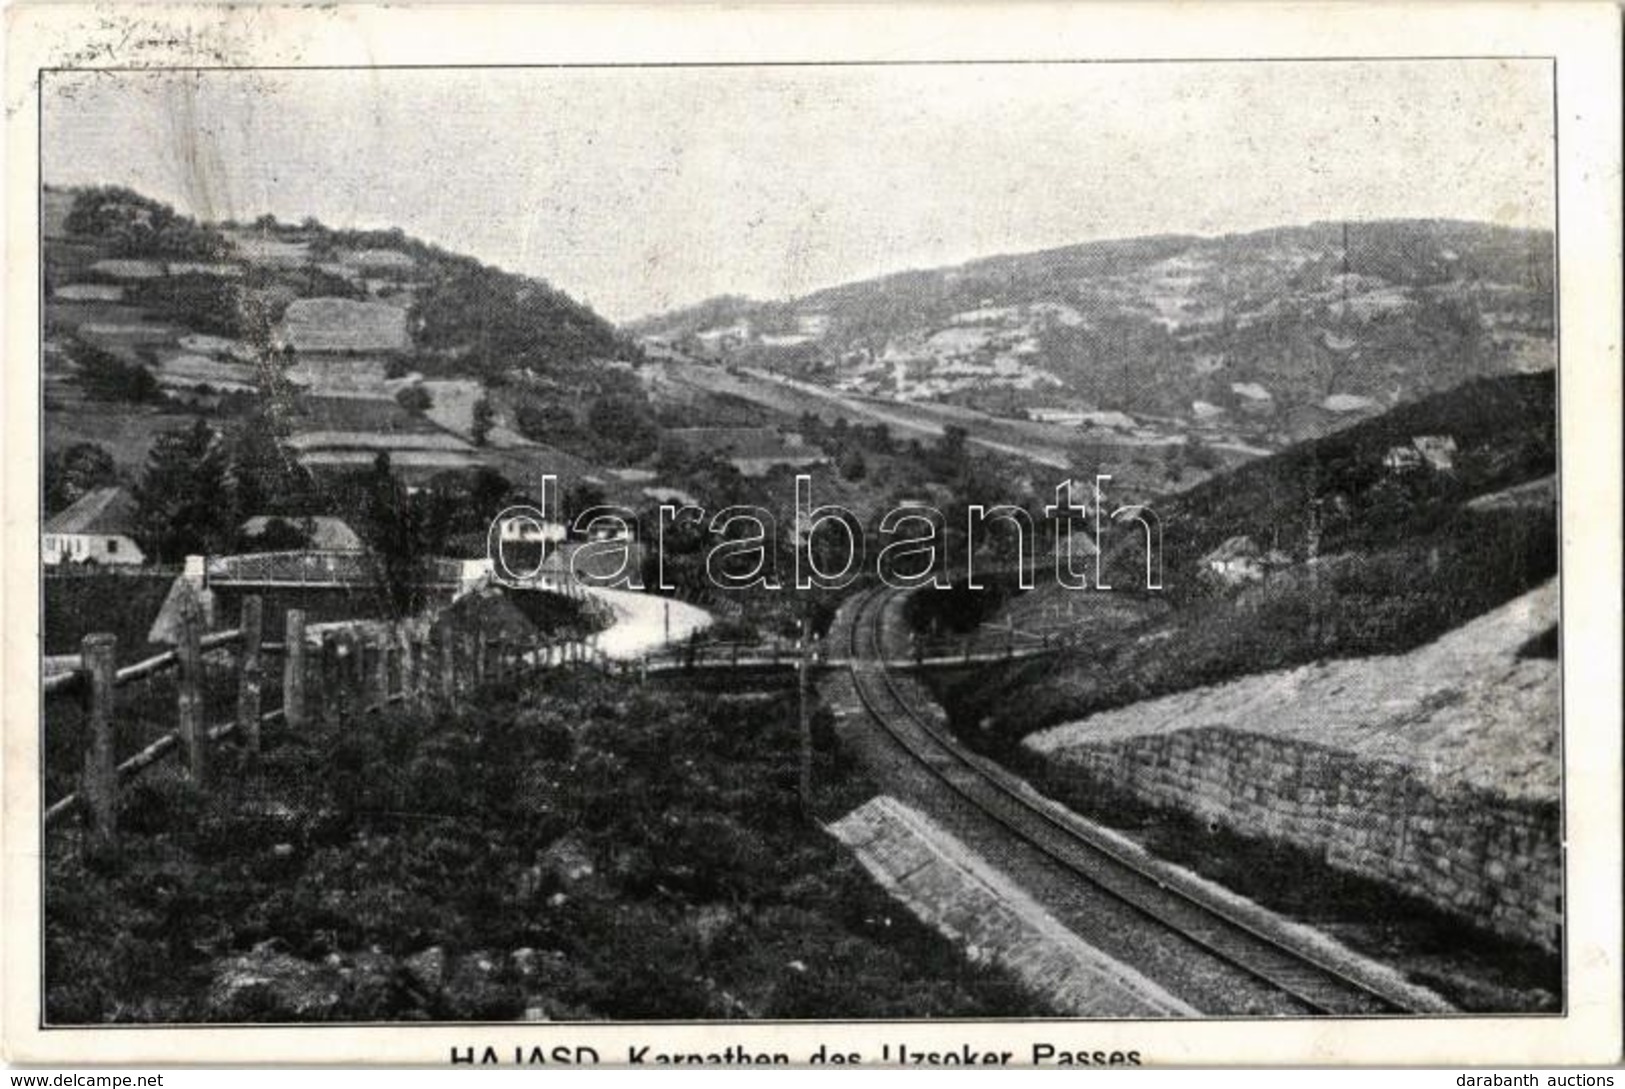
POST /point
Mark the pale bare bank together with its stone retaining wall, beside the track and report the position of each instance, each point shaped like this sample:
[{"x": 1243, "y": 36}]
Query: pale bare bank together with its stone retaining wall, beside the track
[{"x": 1434, "y": 773}]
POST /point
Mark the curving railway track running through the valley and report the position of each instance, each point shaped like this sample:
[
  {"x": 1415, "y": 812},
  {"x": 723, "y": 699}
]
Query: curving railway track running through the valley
[{"x": 1275, "y": 960}]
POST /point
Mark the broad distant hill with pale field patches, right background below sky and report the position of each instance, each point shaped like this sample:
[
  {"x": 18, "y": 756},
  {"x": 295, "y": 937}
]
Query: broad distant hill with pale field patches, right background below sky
[{"x": 1263, "y": 337}]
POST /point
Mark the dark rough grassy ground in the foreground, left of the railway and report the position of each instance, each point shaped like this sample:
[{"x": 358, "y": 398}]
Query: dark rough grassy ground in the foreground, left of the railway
[{"x": 709, "y": 896}]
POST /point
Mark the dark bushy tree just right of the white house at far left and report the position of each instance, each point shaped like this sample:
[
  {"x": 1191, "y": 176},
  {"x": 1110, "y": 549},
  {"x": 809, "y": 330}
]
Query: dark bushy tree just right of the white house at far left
[{"x": 184, "y": 498}]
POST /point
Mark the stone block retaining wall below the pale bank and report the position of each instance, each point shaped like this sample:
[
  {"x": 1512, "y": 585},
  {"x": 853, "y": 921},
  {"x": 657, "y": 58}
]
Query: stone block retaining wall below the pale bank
[{"x": 1493, "y": 861}]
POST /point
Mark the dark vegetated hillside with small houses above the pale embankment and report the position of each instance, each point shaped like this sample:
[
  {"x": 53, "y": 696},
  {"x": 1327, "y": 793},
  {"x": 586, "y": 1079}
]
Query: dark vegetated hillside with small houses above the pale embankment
[{"x": 1403, "y": 563}]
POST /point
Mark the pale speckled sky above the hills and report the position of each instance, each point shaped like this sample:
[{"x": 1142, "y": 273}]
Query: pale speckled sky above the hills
[{"x": 646, "y": 189}]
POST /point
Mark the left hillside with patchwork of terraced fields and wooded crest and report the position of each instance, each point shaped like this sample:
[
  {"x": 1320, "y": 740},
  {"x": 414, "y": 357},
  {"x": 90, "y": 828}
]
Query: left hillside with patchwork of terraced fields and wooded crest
[{"x": 154, "y": 318}]
